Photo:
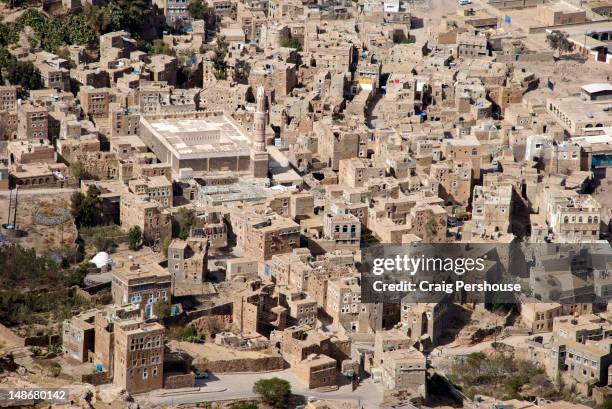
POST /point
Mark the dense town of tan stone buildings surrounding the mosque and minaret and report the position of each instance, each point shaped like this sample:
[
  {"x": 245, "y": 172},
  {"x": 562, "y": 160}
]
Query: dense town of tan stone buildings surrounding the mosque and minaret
[{"x": 293, "y": 159}]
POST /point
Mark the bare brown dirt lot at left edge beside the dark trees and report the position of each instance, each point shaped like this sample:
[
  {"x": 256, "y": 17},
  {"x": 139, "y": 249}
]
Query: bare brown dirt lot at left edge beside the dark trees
[{"x": 40, "y": 236}]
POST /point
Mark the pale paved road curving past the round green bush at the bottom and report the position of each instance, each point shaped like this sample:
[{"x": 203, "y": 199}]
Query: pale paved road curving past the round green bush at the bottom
[{"x": 235, "y": 386}]
